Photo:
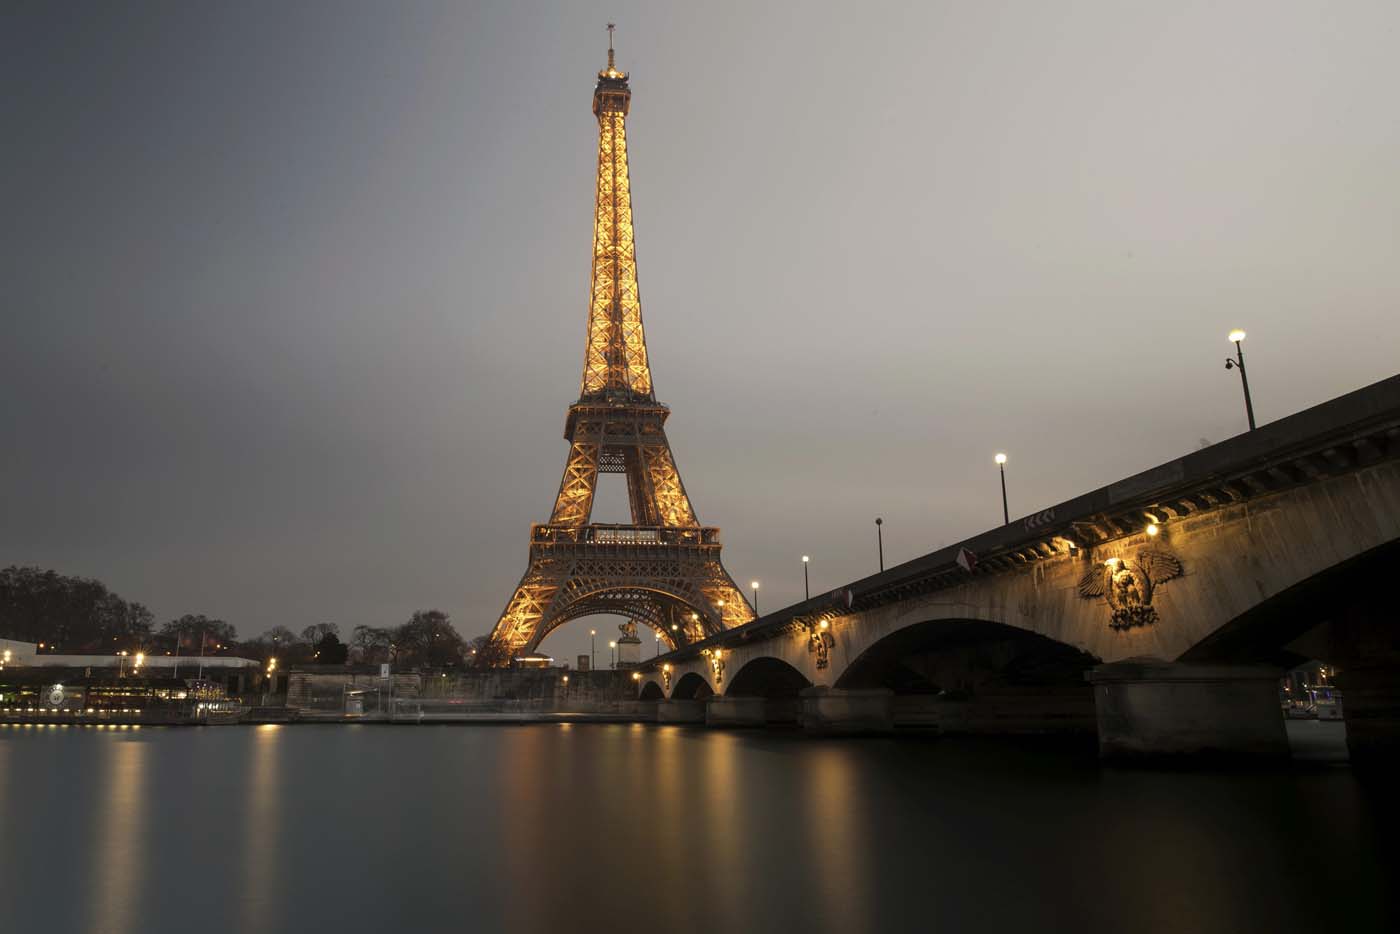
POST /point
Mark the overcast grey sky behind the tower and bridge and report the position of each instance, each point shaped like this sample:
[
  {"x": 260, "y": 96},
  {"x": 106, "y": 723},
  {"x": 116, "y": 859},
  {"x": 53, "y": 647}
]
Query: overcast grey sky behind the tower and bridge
[{"x": 295, "y": 295}]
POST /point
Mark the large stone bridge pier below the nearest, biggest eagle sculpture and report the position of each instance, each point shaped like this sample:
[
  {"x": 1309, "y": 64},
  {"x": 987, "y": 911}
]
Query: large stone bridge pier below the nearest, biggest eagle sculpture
[{"x": 1150, "y": 708}]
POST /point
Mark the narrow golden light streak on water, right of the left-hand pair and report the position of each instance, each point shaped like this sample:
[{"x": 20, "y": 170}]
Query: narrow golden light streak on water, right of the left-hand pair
[{"x": 262, "y": 827}]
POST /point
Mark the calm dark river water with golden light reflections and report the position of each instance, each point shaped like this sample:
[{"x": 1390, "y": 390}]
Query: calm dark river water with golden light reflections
[{"x": 631, "y": 828}]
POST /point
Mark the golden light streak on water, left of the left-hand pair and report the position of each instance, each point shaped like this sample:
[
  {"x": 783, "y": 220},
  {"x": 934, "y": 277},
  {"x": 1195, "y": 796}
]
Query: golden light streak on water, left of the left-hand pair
[{"x": 121, "y": 849}]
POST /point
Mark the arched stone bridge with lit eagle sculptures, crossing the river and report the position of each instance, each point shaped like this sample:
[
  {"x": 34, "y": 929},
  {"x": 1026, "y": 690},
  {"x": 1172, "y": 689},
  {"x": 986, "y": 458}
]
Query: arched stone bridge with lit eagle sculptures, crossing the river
[{"x": 1160, "y": 610}]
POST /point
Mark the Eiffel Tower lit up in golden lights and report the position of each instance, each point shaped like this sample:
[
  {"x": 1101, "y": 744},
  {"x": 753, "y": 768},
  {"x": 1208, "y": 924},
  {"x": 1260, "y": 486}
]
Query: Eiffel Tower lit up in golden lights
[{"x": 663, "y": 571}]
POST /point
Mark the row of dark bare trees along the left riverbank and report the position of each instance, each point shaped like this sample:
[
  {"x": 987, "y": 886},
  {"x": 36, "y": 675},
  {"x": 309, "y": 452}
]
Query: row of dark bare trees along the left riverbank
[{"x": 82, "y": 617}]
